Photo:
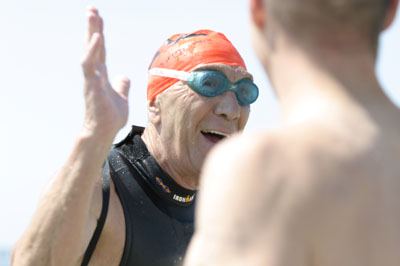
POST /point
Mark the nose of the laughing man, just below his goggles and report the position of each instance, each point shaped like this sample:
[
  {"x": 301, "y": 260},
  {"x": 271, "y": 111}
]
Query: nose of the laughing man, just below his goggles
[{"x": 228, "y": 106}]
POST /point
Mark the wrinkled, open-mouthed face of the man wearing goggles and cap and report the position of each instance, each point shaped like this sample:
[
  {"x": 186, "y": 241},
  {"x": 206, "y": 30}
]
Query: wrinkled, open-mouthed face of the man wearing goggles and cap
[{"x": 192, "y": 124}]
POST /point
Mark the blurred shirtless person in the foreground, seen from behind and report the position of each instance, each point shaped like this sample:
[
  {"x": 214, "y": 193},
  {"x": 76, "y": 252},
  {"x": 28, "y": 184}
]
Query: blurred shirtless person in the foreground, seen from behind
[{"x": 323, "y": 188}]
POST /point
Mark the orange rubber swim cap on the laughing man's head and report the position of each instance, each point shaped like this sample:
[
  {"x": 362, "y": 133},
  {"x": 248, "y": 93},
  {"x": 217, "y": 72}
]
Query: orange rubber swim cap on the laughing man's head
[{"x": 186, "y": 51}]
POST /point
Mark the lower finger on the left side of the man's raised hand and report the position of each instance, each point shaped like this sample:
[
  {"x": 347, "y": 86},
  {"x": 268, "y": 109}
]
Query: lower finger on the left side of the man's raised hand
[{"x": 90, "y": 59}]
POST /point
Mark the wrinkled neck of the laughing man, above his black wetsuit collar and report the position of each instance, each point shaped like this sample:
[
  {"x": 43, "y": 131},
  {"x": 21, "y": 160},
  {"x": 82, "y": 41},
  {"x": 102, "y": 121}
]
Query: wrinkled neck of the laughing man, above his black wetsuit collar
[{"x": 168, "y": 161}]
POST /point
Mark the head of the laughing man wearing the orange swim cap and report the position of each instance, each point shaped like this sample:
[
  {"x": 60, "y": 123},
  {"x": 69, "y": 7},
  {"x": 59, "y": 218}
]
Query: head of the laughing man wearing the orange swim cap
[{"x": 190, "y": 123}]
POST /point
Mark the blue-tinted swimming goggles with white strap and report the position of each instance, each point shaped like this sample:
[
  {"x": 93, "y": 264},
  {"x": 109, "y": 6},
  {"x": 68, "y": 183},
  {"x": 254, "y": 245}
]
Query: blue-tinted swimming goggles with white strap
[{"x": 211, "y": 83}]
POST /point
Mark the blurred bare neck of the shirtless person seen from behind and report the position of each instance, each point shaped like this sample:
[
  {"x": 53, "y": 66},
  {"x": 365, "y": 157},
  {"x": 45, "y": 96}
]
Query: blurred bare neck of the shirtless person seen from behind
[{"x": 316, "y": 82}]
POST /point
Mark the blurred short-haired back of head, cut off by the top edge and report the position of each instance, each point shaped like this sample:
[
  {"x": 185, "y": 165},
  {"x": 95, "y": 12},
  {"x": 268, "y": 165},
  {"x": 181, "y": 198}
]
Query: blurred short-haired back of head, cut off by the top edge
[{"x": 343, "y": 23}]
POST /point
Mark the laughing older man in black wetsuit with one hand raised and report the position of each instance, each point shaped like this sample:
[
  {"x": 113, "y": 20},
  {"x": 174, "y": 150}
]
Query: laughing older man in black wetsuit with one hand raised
[{"x": 141, "y": 211}]
